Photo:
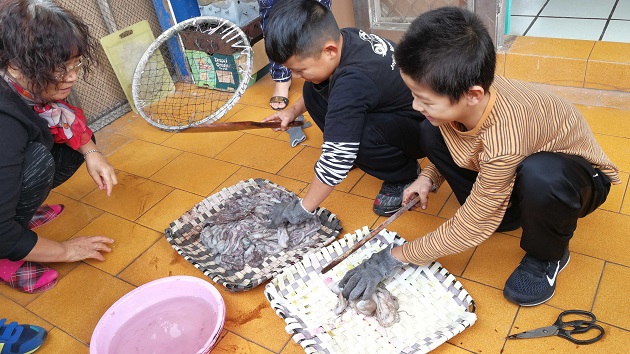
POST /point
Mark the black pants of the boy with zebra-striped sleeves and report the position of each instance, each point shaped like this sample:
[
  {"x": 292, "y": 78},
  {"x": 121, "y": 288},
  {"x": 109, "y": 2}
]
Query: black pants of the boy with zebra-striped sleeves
[{"x": 390, "y": 146}]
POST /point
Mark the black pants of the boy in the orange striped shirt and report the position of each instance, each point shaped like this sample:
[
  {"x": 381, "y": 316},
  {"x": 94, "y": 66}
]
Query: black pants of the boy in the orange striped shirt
[{"x": 552, "y": 190}]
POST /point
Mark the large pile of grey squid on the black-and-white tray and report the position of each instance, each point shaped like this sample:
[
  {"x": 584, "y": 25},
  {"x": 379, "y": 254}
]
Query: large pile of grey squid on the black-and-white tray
[{"x": 237, "y": 235}]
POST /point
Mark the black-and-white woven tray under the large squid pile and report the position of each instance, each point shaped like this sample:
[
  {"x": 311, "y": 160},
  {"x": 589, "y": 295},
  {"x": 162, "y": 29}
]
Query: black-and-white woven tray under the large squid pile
[{"x": 183, "y": 235}]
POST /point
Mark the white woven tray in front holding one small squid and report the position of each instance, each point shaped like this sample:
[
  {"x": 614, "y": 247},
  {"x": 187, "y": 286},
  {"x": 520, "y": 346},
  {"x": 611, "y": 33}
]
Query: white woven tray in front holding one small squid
[{"x": 434, "y": 306}]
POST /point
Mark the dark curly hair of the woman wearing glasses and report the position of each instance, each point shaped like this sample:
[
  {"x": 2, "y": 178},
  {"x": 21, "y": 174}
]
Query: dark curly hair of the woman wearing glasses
[{"x": 38, "y": 37}]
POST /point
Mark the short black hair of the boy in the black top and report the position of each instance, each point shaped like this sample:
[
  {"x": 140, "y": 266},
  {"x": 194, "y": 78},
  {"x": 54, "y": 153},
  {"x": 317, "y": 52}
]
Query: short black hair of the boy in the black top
[{"x": 300, "y": 28}]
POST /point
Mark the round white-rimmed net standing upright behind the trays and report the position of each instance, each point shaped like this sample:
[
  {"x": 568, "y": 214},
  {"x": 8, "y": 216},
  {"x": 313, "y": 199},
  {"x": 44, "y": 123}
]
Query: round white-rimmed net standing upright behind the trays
[{"x": 194, "y": 73}]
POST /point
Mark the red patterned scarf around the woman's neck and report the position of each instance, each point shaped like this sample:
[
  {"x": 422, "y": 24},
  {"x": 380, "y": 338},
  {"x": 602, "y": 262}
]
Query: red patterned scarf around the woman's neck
[{"x": 66, "y": 123}]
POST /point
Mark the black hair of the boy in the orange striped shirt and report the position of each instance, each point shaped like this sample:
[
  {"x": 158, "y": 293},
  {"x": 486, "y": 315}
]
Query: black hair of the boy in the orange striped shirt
[{"x": 449, "y": 50}]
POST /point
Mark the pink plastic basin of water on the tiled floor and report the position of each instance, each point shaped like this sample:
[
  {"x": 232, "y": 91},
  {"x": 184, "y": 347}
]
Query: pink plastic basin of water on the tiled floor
[{"x": 179, "y": 314}]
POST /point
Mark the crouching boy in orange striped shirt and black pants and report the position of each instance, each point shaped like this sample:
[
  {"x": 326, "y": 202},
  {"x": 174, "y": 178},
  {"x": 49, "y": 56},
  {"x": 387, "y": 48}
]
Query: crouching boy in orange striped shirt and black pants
[{"x": 514, "y": 155}]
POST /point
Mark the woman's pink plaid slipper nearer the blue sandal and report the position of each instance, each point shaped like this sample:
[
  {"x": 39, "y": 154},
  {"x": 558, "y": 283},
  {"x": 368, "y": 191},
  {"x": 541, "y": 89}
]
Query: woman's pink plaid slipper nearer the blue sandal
[{"x": 26, "y": 276}]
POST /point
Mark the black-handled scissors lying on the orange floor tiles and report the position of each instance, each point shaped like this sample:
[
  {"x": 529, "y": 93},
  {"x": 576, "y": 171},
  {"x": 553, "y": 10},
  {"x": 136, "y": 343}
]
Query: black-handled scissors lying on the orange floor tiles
[{"x": 567, "y": 329}]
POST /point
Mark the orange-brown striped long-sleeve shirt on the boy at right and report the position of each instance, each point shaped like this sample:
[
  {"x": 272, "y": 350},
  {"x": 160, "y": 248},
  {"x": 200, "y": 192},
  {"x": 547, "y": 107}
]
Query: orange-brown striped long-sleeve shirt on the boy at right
[{"x": 520, "y": 120}]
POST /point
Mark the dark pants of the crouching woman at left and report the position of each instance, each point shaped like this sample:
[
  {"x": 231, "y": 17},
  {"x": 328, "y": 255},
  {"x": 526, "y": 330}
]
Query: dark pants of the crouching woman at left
[{"x": 44, "y": 170}]
